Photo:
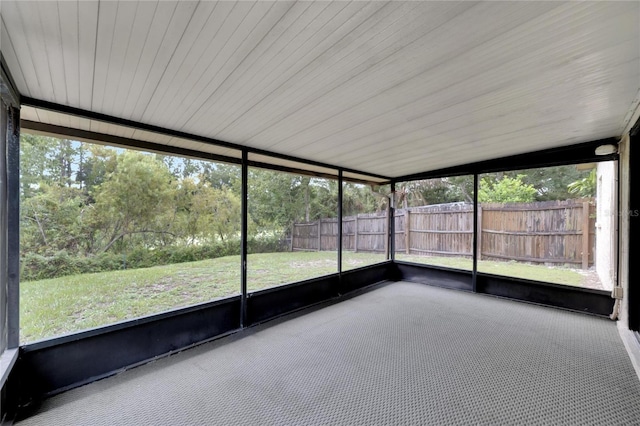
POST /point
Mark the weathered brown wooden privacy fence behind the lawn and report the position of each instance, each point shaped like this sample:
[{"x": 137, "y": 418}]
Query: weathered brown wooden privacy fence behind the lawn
[{"x": 542, "y": 232}]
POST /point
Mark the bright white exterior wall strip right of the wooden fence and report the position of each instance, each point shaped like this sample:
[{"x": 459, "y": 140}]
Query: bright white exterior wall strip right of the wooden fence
[{"x": 606, "y": 208}]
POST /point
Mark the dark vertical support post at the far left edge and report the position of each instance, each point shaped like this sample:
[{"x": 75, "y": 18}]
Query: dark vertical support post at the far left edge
[{"x": 13, "y": 227}]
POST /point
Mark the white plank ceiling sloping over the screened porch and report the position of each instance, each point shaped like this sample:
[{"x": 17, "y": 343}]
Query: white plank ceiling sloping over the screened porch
[{"x": 391, "y": 88}]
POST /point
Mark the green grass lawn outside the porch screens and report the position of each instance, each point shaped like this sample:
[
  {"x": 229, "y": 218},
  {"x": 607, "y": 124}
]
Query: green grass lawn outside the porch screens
[{"x": 62, "y": 305}]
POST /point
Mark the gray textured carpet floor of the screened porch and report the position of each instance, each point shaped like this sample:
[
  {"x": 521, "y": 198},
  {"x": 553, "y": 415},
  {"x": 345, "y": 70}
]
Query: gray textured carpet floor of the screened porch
[{"x": 399, "y": 354}]
